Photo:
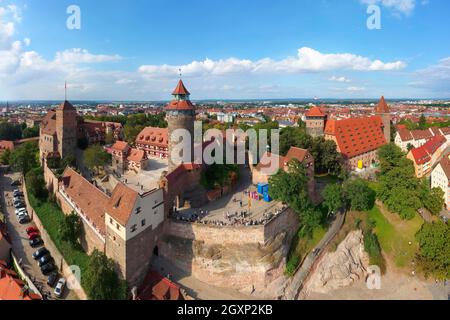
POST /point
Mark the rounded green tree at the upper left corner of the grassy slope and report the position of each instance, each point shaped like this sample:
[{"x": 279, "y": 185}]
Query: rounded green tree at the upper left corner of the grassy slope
[{"x": 359, "y": 195}]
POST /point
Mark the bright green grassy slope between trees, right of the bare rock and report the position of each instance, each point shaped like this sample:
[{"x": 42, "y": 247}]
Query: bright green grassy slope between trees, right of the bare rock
[{"x": 395, "y": 235}]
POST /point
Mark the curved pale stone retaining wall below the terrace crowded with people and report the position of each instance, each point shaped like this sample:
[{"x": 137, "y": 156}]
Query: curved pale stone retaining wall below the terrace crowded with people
[{"x": 242, "y": 258}]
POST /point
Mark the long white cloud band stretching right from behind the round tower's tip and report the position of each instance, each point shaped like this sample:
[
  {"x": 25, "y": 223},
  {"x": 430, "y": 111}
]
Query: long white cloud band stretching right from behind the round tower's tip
[{"x": 307, "y": 60}]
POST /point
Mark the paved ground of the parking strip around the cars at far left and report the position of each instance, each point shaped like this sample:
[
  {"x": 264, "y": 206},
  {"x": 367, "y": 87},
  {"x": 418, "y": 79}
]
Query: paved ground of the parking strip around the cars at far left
[{"x": 20, "y": 242}]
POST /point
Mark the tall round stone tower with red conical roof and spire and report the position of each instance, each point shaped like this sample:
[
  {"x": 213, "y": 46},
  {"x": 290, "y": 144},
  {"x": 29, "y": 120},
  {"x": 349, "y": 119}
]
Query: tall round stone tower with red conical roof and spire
[{"x": 180, "y": 115}]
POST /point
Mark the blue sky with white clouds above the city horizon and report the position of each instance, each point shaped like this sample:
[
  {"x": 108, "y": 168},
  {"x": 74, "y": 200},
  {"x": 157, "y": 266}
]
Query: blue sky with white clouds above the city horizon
[{"x": 132, "y": 50}]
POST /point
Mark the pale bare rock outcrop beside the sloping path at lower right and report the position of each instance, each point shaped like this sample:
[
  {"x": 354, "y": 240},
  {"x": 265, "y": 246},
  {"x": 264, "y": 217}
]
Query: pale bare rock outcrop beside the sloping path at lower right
[{"x": 340, "y": 268}]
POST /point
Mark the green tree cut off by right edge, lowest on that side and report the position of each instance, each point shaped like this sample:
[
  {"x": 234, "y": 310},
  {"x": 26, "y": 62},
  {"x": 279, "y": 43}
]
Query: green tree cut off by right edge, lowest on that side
[{"x": 434, "y": 251}]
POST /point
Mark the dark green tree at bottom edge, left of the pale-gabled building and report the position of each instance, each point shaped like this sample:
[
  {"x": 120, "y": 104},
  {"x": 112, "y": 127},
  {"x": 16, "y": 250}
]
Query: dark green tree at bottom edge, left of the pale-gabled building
[{"x": 100, "y": 279}]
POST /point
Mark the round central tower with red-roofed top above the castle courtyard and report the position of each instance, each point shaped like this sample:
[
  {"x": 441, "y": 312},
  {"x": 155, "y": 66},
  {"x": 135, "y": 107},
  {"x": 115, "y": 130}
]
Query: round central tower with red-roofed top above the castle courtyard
[{"x": 180, "y": 115}]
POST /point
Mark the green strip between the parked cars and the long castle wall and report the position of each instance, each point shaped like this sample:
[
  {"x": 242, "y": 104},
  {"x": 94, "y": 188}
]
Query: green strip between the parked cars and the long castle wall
[{"x": 51, "y": 217}]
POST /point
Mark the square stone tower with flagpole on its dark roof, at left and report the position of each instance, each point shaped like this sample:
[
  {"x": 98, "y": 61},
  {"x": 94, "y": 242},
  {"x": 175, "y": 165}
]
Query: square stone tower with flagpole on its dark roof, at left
[{"x": 66, "y": 129}]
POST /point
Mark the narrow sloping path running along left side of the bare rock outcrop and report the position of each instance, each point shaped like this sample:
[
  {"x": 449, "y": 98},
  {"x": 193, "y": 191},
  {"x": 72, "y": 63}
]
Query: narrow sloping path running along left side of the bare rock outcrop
[{"x": 293, "y": 288}]
